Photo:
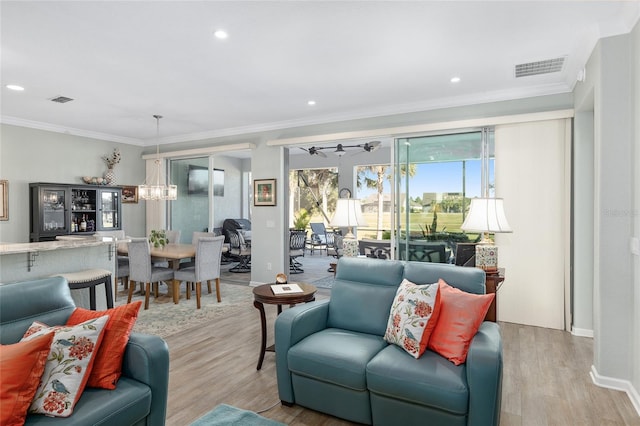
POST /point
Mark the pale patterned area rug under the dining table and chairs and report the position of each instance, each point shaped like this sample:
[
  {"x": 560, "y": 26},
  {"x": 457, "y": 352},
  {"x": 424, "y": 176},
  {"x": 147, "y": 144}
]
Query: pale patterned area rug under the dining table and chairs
[{"x": 164, "y": 318}]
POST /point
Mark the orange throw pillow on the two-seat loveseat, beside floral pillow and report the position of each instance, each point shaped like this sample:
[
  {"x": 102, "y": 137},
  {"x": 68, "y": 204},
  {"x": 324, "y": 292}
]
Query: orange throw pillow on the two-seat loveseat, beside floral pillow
[{"x": 461, "y": 314}]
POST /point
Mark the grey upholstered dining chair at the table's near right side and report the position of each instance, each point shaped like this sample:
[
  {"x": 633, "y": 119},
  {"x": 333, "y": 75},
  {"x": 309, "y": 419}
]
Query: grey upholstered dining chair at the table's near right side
[{"x": 207, "y": 268}]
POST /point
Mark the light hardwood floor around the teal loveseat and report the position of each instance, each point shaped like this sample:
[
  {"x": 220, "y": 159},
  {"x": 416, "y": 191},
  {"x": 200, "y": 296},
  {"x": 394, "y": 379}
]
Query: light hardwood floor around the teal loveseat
[{"x": 546, "y": 376}]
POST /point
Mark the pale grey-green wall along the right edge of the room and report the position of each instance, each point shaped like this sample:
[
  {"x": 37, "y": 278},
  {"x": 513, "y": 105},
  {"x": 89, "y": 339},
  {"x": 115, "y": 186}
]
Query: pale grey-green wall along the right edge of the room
[{"x": 612, "y": 87}]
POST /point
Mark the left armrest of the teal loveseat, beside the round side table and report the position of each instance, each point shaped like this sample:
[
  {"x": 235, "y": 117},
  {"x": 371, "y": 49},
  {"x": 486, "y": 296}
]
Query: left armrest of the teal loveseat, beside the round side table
[{"x": 292, "y": 326}]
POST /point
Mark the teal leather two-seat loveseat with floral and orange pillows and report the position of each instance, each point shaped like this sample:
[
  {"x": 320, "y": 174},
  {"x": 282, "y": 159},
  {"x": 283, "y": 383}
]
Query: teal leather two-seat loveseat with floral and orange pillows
[{"x": 331, "y": 355}]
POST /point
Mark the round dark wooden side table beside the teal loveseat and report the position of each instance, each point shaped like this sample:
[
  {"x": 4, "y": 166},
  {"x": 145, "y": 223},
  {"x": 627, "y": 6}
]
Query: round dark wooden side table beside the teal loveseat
[{"x": 263, "y": 294}]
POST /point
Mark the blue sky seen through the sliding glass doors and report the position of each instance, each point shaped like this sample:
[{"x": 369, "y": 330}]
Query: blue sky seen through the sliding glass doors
[{"x": 440, "y": 177}]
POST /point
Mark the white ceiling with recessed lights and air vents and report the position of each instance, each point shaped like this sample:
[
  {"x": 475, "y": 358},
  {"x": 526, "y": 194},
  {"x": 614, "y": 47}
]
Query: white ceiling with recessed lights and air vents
[{"x": 122, "y": 62}]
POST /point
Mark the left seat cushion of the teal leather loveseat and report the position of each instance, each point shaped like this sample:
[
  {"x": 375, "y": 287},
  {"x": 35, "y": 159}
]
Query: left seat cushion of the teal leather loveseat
[{"x": 335, "y": 356}]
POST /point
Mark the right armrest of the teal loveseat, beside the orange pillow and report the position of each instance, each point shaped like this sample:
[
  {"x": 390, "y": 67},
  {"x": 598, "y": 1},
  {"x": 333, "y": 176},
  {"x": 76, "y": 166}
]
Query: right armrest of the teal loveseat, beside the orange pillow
[{"x": 484, "y": 375}]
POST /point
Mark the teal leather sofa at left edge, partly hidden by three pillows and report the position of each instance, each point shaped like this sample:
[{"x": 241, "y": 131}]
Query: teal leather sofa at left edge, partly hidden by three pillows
[{"x": 140, "y": 397}]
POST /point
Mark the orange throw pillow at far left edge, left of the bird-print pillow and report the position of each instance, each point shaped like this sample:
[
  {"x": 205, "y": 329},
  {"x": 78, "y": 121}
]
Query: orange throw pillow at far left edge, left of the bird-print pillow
[{"x": 21, "y": 367}]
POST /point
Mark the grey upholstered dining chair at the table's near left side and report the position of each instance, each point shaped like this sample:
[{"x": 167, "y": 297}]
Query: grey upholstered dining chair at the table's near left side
[{"x": 142, "y": 271}]
